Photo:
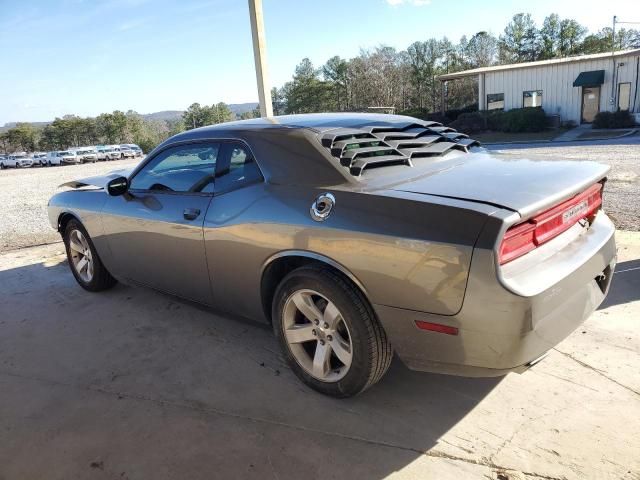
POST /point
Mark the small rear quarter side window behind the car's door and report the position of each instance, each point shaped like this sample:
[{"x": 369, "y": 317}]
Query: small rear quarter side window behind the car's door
[{"x": 236, "y": 167}]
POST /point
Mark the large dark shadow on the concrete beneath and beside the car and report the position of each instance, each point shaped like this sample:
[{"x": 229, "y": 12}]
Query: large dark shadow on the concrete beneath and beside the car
[{"x": 133, "y": 378}]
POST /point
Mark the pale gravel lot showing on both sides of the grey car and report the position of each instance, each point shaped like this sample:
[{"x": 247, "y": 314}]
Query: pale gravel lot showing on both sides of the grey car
[{"x": 24, "y": 193}]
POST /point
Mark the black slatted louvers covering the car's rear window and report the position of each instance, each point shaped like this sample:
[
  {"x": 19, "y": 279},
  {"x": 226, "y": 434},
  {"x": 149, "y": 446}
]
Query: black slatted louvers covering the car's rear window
[{"x": 368, "y": 147}]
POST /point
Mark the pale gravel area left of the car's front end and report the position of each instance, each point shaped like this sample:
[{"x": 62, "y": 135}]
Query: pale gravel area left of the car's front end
[{"x": 24, "y": 194}]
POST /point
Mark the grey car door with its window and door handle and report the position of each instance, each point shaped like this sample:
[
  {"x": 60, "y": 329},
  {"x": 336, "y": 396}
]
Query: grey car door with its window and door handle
[{"x": 155, "y": 231}]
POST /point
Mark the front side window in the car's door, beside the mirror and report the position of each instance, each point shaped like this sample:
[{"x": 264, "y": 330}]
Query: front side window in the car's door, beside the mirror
[{"x": 185, "y": 168}]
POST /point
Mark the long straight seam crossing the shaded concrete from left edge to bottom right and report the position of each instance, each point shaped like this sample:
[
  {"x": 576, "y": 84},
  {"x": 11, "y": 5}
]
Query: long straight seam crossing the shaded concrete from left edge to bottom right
[{"x": 484, "y": 462}]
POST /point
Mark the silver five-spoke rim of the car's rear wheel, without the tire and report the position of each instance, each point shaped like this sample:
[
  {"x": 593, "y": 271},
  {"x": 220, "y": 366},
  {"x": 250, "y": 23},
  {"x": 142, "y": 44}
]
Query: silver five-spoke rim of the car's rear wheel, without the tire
[{"x": 317, "y": 335}]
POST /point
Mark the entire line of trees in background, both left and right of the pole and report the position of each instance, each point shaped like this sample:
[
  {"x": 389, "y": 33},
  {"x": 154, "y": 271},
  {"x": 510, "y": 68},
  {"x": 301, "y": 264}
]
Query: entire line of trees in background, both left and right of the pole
[{"x": 379, "y": 77}]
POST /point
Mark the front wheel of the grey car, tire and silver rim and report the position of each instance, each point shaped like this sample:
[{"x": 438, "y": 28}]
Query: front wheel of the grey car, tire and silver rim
[{"x": 85, "y": 264}]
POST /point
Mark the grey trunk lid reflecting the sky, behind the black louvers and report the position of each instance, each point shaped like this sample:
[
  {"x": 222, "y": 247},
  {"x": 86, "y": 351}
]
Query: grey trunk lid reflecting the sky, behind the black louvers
[{"x": 523, "y": 185}]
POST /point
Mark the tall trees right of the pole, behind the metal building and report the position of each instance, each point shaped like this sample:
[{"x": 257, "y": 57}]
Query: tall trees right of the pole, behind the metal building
[{"x": 407, "y": 79}]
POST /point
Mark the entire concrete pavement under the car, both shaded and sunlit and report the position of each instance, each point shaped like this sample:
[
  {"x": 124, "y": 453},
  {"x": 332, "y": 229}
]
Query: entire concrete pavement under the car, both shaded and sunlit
[{"x": 134, "y": 384}]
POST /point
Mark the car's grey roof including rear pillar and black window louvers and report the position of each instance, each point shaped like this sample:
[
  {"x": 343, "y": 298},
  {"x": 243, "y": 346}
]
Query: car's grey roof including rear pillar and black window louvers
[{"x": 334, "y": 148}]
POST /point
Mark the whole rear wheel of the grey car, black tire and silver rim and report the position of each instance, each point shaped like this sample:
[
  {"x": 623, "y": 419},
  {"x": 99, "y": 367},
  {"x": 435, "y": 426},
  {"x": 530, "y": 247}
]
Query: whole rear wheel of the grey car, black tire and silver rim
[{"x": 329, "y": 333}]
